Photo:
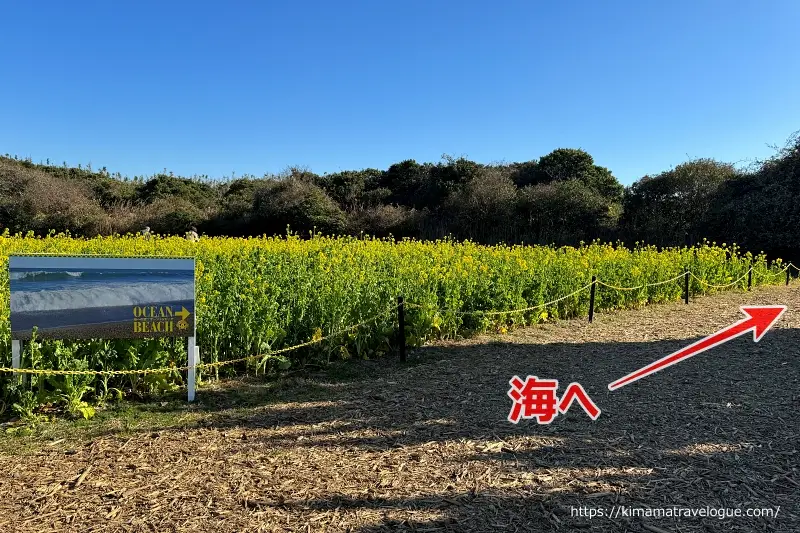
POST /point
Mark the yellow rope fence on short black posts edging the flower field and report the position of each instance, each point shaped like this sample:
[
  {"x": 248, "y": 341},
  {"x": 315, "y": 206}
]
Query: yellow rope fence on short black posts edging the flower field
[{"x": 400, "y": 309}]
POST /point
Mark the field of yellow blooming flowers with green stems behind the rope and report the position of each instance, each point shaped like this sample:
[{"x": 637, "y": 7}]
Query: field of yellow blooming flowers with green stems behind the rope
[{"x": 258, "y": 295}]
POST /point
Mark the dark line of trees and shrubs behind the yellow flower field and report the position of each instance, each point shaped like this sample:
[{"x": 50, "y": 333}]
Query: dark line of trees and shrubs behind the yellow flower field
[{"x": 562, "y": 198}]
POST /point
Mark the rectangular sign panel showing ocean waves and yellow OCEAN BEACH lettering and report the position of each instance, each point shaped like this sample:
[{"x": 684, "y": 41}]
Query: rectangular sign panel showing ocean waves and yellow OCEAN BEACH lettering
[{"x": 87, "y": 297}]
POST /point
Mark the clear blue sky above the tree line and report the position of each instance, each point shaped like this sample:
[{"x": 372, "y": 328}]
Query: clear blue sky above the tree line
[{"x": 253, "y": 87}]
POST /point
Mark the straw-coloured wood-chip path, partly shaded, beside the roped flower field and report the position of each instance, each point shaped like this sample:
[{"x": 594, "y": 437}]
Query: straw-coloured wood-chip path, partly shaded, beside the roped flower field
[{"x": 427, "y": 447}]
